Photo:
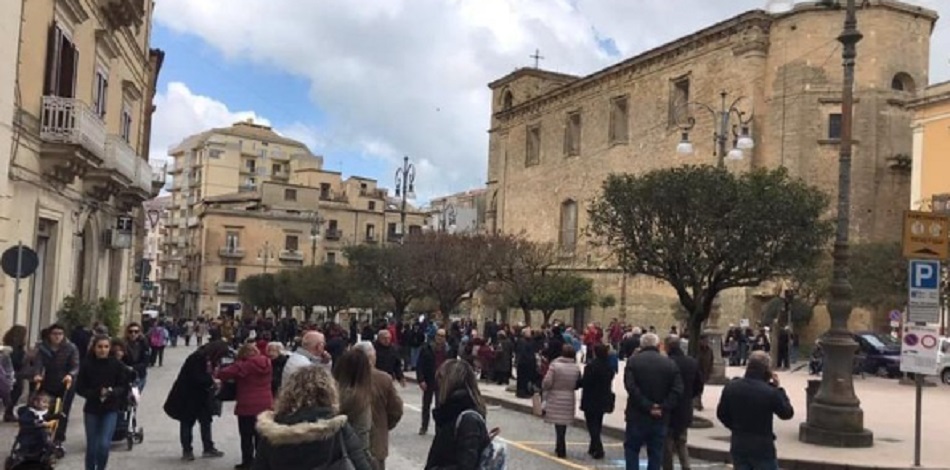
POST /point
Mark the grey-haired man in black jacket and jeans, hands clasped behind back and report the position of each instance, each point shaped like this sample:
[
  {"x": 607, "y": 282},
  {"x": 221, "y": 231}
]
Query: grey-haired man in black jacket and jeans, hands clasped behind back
[{"x": 654, "y": 387}]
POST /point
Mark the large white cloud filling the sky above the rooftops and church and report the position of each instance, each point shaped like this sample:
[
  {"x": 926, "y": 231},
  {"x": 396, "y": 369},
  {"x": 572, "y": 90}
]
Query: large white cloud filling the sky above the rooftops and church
[{"x": 408, "y": 77}]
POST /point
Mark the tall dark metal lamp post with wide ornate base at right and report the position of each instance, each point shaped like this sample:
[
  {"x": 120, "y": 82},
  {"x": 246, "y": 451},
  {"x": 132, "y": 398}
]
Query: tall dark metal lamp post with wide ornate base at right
[{"x": 835, "y": 417}]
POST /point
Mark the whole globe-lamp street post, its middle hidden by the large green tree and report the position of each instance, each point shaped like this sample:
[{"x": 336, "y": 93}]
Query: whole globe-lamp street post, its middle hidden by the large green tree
[{"x": 742, "y": 141}]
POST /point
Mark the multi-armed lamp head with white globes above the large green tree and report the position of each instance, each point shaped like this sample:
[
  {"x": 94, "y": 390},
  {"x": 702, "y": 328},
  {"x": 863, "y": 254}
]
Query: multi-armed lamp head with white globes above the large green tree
[{"x": 741, "y": 135}]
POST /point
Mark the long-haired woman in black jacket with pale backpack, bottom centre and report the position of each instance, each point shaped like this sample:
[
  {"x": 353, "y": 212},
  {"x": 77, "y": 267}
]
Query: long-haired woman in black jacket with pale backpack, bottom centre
[{"x": 461, "y": 433}]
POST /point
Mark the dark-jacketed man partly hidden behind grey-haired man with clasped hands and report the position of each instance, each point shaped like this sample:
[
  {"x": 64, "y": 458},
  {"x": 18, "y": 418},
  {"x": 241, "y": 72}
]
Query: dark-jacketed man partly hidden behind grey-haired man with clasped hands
[{"x": 682, "y": 415}]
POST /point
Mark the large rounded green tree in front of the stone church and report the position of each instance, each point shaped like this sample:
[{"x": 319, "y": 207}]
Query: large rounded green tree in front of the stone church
[{"x": 704, "y": 229}]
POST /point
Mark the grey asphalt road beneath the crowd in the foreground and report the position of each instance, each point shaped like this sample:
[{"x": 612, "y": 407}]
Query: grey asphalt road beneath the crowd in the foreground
[{"x": 530, "y": 442}]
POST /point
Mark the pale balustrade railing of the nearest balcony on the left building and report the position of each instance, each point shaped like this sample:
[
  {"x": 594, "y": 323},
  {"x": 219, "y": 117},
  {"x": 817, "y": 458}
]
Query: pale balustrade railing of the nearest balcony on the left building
[{"x": 70, "y": 121}]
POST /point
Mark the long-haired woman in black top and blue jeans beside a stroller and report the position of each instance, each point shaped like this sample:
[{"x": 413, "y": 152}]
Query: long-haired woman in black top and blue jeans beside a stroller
[{"x": 102, "y": 381}]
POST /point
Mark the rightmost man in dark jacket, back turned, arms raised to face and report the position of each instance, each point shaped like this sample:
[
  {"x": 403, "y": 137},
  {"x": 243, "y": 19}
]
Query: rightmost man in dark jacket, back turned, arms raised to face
[{"x": 746, "y": 408}]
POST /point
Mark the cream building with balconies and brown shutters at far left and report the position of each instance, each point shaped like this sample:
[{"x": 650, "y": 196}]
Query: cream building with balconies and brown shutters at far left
[{"x": 78, "y": 170}]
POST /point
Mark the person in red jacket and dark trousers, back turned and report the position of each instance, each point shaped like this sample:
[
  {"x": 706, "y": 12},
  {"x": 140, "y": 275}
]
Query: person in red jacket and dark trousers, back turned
[{"x": 252, "y": 375}]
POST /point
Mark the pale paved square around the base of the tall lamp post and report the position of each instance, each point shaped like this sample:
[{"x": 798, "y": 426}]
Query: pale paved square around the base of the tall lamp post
[{"x": 888, "y": 412}]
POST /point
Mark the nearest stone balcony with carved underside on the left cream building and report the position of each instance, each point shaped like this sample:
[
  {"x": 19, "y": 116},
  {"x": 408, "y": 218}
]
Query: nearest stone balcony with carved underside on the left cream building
[{"x": 74, "y": 139}]
